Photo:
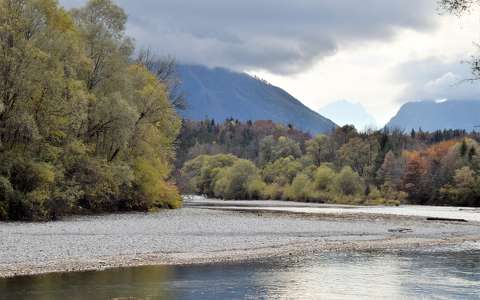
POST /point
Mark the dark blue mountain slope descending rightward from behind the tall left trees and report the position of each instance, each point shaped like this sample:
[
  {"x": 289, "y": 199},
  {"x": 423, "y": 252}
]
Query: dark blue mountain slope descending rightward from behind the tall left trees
[{"x": 220, "y": 94}]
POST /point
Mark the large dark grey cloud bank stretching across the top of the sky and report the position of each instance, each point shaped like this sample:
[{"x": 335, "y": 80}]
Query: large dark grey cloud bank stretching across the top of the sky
[{"x": 280, "y": 36}]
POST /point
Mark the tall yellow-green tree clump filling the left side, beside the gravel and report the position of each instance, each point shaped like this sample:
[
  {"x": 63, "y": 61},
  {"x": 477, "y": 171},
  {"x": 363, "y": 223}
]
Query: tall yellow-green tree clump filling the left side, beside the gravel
[{"x": 83, "y": 126}]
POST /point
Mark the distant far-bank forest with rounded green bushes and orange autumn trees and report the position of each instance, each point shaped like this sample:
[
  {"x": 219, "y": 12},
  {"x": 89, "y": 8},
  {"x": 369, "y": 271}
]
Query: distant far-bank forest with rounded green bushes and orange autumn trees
[{"x": 261, "y": 160}]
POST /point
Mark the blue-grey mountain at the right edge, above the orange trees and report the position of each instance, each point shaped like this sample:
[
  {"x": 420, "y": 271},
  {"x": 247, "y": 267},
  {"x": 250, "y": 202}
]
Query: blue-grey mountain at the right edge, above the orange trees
[{"x": 437, "y": 115}]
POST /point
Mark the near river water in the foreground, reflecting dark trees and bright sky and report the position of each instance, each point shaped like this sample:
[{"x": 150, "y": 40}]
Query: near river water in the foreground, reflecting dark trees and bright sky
[{"x": 424, "y": 275}]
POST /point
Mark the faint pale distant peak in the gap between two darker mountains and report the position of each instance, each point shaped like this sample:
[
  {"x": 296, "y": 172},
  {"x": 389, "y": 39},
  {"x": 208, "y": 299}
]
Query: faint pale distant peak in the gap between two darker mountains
[{"x": 344, "y": 112}]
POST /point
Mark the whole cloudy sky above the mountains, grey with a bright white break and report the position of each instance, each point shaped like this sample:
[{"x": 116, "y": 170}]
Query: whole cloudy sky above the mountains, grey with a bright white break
[{"x": 378, "y": 53}]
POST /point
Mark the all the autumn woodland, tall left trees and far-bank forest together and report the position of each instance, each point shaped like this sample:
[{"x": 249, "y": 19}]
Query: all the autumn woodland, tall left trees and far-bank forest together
[{"x": 89, "y": 124}]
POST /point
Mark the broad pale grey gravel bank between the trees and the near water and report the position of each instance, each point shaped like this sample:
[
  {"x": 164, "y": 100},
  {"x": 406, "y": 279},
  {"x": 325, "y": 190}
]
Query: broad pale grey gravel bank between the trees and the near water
[{"x": 200, "y": 234}]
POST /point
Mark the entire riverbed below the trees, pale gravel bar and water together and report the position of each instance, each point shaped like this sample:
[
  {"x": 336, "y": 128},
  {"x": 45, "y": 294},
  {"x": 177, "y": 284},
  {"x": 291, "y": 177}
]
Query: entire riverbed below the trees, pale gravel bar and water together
[{"x": 286, "y": 251}]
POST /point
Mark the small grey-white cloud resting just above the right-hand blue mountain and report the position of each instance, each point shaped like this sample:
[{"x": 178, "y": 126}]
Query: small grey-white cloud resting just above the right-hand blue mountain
[{"x": 435, "y": 79}]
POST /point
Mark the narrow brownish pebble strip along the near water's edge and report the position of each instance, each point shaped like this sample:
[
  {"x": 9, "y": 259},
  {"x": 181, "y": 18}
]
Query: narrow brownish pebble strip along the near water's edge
[{"x": 233, "y": 256}]
